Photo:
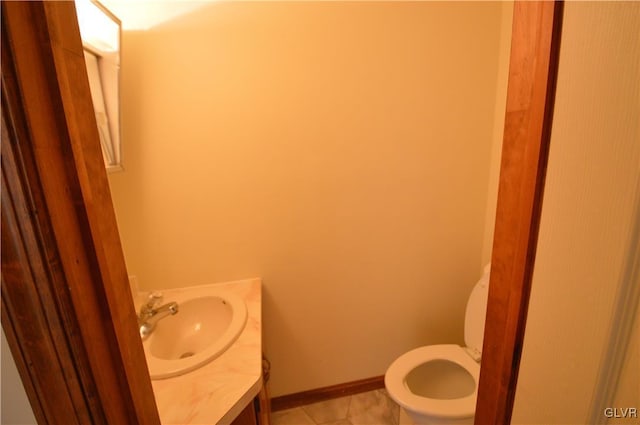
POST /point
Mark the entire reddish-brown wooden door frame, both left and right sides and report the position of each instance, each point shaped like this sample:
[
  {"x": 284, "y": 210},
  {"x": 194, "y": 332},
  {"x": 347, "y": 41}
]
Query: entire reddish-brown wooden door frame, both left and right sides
[{"x": 66, "y": 305}]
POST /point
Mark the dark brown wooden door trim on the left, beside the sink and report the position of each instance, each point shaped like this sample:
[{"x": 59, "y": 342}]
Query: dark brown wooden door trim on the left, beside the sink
[{"x": 61, "y": 251}]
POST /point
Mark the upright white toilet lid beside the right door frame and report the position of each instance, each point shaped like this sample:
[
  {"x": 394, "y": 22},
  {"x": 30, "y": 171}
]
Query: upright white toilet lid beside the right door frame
[{"x": 476, "y": 313}]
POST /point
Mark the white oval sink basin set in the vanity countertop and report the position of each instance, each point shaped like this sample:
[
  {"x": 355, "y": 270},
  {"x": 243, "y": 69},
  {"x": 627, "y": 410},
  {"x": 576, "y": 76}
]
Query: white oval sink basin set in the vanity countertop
[{"x": 205, "y": 325}]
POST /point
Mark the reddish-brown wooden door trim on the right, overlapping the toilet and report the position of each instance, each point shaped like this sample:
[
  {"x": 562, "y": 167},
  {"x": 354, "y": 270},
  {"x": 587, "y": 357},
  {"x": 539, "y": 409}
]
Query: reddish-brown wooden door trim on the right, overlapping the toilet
[{"x": 529, "y": 112}]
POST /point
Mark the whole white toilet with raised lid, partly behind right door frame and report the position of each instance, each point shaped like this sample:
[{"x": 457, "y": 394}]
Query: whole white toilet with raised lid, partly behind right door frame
[{"x": 438, "y": 384}]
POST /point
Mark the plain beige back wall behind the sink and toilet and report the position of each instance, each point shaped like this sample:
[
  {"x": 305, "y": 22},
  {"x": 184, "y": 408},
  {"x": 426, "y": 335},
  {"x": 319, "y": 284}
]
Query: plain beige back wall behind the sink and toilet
[{"x": 340, "y": 151}]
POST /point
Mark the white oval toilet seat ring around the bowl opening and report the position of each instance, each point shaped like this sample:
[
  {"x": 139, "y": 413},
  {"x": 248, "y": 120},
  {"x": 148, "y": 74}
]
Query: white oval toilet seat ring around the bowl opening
[{"x": 395, "y": 381}]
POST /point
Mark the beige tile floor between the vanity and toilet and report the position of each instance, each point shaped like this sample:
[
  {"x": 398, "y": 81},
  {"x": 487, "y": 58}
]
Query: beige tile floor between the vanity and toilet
[{"x": 370, "y": 408}]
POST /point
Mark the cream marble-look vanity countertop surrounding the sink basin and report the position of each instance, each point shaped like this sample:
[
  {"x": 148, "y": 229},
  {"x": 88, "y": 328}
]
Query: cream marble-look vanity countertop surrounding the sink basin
[{"x": 218, "y": 391}]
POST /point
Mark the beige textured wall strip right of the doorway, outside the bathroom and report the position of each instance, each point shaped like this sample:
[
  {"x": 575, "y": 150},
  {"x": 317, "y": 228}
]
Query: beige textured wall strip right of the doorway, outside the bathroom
[{"x": 587, "y": 215}]
